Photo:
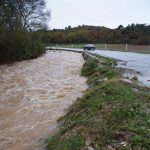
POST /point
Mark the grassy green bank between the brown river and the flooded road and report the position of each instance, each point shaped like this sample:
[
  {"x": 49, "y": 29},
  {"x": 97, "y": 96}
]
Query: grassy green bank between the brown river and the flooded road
[{"x": 112, "y": 114}]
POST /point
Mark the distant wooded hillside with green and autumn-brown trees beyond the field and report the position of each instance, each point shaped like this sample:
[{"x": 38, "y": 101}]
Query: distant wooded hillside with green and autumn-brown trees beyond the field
[{"x": 132, "y": 34}]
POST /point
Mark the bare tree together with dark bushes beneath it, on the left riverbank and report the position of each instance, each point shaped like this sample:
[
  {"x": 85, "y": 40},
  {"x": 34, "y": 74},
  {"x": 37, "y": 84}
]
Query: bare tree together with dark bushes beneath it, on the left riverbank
[{"x": 19, "y": 21}]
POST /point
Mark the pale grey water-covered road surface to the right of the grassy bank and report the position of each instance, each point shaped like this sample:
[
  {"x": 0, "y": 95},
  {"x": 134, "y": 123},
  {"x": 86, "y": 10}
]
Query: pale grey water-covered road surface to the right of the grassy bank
[{"x": 136, "y": 61}]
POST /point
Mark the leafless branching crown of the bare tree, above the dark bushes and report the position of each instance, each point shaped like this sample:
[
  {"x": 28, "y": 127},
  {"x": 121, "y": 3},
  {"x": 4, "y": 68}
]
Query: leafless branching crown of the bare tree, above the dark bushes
[{"x": 25, "y": 14}]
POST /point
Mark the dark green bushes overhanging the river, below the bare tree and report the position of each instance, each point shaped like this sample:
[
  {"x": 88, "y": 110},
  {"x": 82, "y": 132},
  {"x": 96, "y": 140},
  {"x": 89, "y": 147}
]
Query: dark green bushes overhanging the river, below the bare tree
[{"x": 20, "y": 45}]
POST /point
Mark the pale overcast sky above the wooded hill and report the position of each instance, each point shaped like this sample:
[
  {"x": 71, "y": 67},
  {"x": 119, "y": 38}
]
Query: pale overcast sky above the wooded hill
[{"x": 109, "y": 13}]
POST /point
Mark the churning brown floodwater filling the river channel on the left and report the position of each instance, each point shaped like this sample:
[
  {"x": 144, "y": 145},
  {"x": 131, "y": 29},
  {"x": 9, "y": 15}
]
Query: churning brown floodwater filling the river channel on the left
[{"x": 34, "y": 94}]
